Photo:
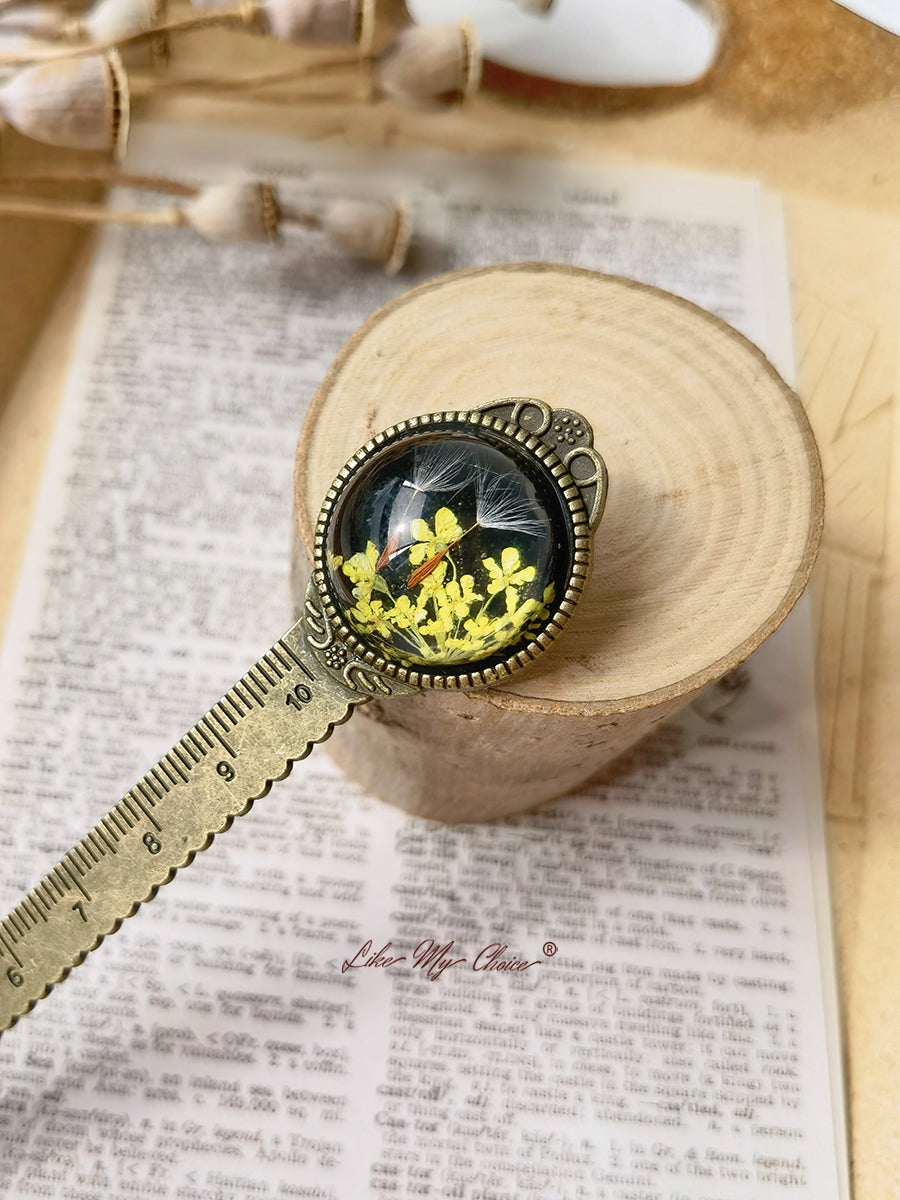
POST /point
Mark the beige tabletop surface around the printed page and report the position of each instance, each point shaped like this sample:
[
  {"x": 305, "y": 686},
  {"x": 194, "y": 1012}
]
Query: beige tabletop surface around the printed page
[{"x": 839, "y": 175}]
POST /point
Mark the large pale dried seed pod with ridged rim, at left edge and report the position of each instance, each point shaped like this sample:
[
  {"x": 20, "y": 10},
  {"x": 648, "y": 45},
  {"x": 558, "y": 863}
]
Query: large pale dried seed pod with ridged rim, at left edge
[{"x": 80, "y": 103}]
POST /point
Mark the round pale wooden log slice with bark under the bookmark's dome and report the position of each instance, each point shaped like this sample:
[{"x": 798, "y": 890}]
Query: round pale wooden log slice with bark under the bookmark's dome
[{"x": 711, "y": 530}]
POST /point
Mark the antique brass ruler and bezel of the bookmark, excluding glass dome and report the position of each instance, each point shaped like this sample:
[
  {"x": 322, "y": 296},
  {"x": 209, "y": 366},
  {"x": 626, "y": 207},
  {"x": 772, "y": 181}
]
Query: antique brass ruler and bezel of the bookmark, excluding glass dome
[{"x": 291, "y": 699}]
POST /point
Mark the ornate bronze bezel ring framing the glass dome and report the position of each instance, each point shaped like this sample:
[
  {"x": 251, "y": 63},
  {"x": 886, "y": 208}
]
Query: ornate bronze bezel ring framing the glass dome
[{"x": 562, "y": 443}]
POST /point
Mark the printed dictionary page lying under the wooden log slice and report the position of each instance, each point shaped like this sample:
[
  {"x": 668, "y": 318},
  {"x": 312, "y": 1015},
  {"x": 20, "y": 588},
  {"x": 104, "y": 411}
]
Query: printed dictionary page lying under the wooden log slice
[{"x": 627, "y": 995}]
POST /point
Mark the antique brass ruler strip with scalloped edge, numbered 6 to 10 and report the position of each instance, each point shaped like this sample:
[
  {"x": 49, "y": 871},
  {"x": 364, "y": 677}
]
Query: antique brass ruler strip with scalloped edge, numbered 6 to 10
[{"x": 268, "y": 721}]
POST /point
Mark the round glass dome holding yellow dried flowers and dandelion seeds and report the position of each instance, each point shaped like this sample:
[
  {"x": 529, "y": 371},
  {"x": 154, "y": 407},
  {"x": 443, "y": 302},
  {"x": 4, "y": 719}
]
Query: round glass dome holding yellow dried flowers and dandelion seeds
[{"x": 449, "y": 549}]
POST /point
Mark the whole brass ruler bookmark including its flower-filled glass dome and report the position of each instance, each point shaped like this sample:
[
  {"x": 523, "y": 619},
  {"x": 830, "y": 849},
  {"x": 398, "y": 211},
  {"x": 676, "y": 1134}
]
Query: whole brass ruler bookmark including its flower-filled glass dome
[{"x": 451, "y": 553}]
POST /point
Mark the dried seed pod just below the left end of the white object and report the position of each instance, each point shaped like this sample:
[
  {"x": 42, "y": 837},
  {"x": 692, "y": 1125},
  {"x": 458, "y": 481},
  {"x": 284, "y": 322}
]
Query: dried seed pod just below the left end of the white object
[{"x": 430, "y": 67}]
